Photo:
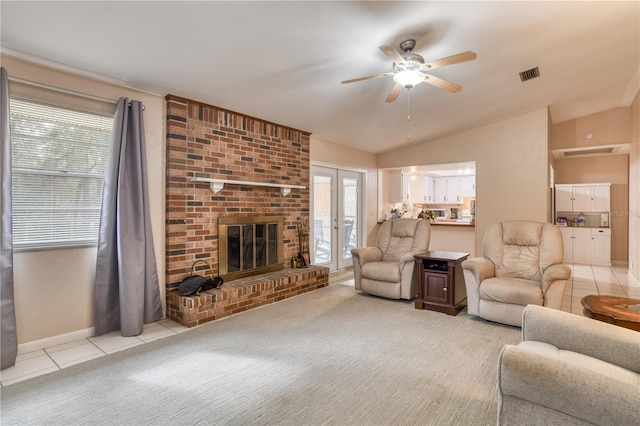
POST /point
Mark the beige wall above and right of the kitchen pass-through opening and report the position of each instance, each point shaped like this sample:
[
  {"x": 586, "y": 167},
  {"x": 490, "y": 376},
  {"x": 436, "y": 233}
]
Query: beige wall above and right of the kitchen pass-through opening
[{"x": 512, "y": 181}]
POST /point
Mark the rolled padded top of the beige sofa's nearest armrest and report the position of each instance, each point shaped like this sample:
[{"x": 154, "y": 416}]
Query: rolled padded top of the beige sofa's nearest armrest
[{"x": 592, "y": 396}]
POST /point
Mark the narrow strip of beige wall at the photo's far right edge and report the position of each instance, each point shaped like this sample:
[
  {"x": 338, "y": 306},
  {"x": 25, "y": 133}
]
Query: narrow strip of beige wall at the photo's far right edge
[{"x": 634, "y": 190}]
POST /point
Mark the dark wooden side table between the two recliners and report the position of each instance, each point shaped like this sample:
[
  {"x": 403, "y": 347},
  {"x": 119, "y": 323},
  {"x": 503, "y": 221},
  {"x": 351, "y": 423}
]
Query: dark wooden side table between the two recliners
[{"x": 440, "y": 281}]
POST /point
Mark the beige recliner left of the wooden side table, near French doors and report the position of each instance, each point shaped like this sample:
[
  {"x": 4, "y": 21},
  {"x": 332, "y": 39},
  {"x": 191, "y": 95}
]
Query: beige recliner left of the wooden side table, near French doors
[{"x": 387, "y": 270}]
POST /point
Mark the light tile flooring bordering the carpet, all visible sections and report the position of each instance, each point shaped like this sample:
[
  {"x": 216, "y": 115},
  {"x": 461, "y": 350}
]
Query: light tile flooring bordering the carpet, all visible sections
[{"x": 585, "y": 280}]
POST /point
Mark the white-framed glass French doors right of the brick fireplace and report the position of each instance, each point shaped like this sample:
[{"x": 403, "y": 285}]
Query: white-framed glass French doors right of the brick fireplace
[{"x": 336, "y": 212}]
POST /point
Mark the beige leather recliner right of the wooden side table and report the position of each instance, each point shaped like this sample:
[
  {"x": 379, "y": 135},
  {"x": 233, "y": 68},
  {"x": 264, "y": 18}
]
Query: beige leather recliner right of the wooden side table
[{"x": 522, "y": 265}]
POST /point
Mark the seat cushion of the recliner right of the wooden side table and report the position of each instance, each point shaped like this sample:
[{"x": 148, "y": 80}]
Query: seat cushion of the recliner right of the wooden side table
[{"x": 514, "y": 291}]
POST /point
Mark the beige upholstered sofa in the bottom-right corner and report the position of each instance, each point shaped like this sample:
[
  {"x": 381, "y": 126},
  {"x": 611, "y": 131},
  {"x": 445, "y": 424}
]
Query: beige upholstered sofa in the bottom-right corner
[{"x": 569, "y": 370}]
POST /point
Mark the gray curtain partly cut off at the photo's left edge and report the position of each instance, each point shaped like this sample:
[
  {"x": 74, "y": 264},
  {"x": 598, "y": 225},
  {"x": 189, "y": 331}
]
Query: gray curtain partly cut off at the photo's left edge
[{"x": 9, "y": 337}]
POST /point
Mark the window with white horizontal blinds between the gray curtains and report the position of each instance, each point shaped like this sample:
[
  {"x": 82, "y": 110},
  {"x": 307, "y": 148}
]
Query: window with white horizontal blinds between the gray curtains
[{"x": 59, "y": 157}]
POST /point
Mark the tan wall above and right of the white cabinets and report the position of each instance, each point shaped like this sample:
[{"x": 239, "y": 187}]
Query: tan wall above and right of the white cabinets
[{"x": 613, "y": 169}]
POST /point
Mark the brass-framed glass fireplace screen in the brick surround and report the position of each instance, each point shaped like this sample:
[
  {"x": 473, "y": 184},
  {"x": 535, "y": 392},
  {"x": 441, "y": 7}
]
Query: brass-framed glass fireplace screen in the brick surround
[{"x": 250, "y": 245}]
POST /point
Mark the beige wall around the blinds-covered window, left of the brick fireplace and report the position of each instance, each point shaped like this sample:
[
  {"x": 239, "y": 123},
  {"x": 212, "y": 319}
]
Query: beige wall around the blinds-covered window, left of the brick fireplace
[{"x": 54, "y": 288}]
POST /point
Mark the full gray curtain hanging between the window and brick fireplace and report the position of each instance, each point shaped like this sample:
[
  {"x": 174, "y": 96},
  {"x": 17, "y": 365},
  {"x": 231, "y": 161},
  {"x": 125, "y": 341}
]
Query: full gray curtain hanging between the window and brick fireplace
[{"x": 127, "y": 293}]
